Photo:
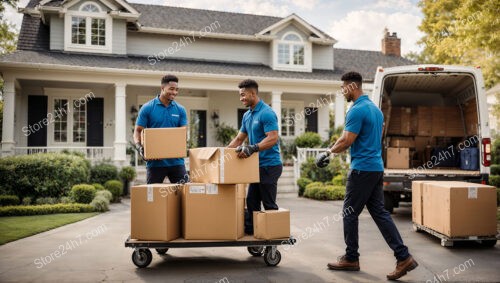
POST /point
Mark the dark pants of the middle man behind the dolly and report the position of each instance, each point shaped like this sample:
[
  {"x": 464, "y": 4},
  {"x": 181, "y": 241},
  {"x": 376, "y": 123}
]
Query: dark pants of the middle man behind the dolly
[{"x": 264, "y": 192}]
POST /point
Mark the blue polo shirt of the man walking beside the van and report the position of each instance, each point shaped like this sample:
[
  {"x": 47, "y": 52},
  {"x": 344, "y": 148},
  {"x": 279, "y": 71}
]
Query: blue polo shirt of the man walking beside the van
[{"x": 366, "y": 120}]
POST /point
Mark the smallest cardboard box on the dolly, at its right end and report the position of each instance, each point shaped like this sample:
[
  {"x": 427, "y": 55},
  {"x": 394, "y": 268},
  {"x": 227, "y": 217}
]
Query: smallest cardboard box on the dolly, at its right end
[{"x": 271, "y": 224}]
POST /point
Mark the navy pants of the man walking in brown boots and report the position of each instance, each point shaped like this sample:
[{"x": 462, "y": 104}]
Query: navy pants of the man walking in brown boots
[{"x": 366, "y": 188}]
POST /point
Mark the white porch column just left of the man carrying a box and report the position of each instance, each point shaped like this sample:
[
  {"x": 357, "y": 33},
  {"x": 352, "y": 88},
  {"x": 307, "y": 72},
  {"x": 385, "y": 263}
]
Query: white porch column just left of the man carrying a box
[{"x": 120, "y": 144}]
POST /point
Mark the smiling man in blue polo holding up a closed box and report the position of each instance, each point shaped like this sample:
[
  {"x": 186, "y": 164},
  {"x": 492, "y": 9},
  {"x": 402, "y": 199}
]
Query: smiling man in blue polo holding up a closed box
[{"x": 162, "y": 112}]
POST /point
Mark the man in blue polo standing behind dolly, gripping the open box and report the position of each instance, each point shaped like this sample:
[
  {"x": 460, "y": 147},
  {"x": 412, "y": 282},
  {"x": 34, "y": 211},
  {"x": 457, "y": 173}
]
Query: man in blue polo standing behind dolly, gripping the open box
[{"x": 260, "y": 125}]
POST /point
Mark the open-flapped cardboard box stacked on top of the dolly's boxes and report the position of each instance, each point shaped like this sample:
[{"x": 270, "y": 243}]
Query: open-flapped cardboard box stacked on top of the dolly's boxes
[{"x": 219, "y": 165}]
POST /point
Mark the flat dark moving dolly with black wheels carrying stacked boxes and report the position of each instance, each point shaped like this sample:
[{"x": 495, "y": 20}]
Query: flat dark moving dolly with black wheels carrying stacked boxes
[{"x": 142, "y": 256}]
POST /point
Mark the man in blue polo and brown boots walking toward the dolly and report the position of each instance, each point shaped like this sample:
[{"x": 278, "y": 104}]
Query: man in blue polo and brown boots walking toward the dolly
[{"x": 363, "y": 134}]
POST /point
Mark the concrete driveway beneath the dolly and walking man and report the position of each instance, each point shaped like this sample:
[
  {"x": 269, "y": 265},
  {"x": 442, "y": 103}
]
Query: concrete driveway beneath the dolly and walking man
[{"x": 92, "y": 250}]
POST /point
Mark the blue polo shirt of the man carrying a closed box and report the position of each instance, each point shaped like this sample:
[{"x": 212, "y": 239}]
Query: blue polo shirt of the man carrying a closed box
[{"x": 154, "y": 114}]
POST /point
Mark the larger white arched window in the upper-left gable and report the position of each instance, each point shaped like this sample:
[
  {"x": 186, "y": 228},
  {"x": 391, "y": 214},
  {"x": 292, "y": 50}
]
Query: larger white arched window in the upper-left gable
[{"x": 88, "y": 29}]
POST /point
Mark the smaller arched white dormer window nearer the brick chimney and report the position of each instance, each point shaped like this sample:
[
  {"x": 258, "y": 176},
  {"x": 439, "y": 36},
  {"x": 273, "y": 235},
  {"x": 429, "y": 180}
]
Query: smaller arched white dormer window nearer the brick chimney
[{"x": 292, "y": 53}]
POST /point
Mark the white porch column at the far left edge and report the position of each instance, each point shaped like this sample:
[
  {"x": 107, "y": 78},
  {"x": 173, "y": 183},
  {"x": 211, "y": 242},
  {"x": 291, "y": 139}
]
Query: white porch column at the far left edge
[{"x": 9, "y": 98}]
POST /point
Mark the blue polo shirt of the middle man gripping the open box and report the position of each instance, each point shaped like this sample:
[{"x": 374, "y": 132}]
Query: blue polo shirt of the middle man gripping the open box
[{"x": 256, "y": 123}]
